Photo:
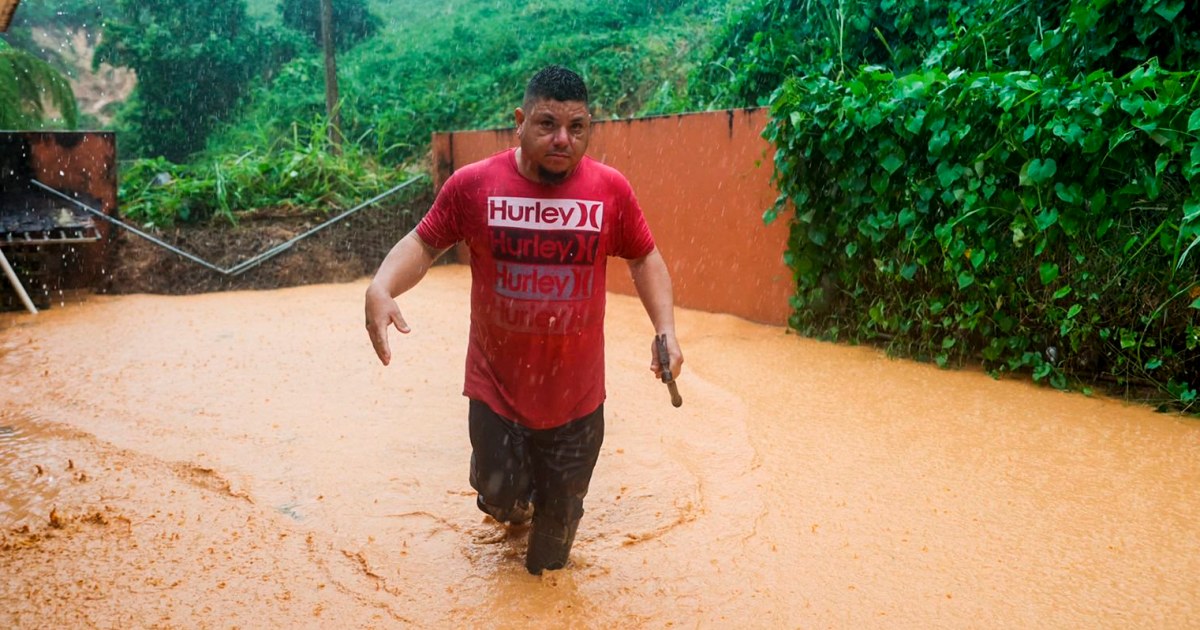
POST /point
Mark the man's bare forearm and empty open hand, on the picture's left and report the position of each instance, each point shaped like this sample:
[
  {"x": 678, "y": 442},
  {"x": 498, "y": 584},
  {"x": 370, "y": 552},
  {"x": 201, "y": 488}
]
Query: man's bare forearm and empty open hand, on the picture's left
[{"x": 401, "y": 271}]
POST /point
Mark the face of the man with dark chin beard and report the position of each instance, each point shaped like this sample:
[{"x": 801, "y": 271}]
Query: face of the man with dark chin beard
[{"x": 554, "y": 139}]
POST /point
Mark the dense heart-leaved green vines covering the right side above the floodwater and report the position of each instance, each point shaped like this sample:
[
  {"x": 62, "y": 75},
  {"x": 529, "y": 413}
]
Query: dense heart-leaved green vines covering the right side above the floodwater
[{"x": 1017, "y": 188}]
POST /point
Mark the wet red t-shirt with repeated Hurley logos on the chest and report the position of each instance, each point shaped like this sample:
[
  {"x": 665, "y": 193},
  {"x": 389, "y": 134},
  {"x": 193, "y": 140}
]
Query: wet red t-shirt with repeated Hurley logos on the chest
[{"x": 538, "y": 262}]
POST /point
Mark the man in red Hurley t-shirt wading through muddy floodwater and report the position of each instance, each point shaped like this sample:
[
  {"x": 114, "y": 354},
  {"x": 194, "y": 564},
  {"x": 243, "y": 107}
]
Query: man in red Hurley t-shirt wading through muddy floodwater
[{"x": 541, "y": 221}]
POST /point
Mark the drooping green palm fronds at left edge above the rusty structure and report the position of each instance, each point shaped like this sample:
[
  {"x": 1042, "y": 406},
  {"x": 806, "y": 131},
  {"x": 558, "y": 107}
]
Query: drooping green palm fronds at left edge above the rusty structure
[{"x": 31, "y": 89}]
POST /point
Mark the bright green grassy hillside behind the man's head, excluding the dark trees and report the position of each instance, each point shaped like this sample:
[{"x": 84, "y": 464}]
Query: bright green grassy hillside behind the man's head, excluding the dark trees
[{"x": 463, "y": 65}]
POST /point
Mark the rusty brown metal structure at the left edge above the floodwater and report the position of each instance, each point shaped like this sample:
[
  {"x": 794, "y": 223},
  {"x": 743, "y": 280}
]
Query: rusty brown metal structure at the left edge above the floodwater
[{"x": 47, "y": 244}]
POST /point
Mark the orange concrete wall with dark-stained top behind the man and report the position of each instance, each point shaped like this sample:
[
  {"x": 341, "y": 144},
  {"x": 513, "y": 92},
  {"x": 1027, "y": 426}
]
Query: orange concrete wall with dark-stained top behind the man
[{"x": 704, "y": 182}]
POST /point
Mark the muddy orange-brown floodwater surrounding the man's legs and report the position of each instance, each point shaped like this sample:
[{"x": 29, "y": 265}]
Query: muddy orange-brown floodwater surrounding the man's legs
[{"x": 243, "y": 460}]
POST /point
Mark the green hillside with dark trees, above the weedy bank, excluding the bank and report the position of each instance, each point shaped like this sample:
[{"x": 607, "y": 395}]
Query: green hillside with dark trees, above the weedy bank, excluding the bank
[{"x": 242, "y": 75}]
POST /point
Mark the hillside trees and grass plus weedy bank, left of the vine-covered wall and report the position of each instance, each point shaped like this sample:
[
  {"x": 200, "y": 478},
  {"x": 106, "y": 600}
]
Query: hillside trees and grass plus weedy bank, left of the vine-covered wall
[{"x": 219, "y": 82}]
